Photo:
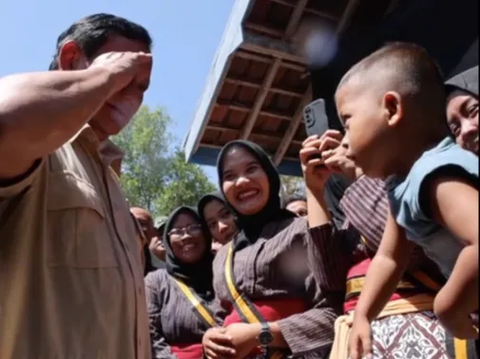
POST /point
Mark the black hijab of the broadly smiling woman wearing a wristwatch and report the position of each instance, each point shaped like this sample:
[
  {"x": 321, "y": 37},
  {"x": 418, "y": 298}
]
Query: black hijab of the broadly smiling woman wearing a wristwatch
[{"x": 252, "y": 225}]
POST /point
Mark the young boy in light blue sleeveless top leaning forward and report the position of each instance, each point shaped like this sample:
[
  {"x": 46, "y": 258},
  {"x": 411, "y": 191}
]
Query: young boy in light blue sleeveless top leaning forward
[{"x": 392, "y": 105}]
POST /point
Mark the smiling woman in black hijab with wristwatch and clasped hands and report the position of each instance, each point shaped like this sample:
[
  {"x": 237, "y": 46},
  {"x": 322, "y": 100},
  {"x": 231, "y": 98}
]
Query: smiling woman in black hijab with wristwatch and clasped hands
[{"x": 262, "y": 278}]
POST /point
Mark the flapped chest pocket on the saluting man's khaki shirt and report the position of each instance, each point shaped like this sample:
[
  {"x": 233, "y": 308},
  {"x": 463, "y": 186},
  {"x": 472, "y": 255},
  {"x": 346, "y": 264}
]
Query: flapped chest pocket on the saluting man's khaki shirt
[{"x": 78, "y": 230}]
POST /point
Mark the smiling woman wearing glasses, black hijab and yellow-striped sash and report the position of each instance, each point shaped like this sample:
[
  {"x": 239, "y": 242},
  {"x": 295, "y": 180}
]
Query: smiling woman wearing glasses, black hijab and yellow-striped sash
[{"x": 181, "y": 305}]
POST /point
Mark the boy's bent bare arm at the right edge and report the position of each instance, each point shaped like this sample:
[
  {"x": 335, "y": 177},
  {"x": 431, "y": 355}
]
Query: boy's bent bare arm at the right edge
[{"x": 454, "y": 205}]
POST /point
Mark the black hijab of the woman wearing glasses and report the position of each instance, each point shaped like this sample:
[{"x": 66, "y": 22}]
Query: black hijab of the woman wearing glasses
[{"x": 198, "y": 276}]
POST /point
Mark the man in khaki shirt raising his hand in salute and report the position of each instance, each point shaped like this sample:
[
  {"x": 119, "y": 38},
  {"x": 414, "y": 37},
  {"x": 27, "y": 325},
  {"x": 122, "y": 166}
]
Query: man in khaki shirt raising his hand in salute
[{"x": 71, "y": 281}]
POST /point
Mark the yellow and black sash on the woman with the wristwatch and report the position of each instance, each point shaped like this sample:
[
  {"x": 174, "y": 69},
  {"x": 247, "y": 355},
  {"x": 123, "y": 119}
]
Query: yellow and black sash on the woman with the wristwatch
[{"x": 243, "y": 306}]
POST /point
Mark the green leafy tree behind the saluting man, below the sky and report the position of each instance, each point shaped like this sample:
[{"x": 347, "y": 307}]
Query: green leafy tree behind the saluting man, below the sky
[{"x": 149, "y": 165}]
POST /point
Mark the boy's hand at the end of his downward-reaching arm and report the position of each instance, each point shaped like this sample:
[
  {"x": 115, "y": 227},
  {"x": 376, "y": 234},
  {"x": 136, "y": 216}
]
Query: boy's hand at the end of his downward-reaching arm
[{"x": 360, "y": 341}]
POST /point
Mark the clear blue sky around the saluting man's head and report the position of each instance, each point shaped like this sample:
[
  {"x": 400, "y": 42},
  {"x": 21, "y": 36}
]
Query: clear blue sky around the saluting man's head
[{"x": 186, "y": 35}]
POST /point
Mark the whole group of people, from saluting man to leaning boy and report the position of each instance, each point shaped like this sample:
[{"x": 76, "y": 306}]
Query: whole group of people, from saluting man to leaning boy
[{"x": 246, "y": 273}]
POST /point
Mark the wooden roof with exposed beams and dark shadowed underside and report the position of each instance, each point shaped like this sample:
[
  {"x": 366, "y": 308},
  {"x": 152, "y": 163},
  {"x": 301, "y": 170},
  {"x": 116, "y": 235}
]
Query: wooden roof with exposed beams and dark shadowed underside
[{"x": 259, "y": 82}]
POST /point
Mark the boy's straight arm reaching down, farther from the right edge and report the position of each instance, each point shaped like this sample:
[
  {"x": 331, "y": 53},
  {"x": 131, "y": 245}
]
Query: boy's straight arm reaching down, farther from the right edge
[{"x": 383, "y": 276}]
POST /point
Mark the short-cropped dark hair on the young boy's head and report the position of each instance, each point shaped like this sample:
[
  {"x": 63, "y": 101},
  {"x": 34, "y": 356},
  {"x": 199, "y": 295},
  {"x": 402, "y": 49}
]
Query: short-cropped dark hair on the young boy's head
[{"x": 407, "y": 69}]
